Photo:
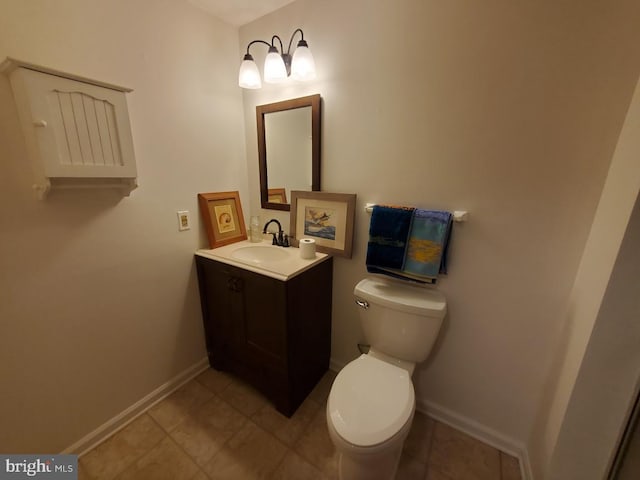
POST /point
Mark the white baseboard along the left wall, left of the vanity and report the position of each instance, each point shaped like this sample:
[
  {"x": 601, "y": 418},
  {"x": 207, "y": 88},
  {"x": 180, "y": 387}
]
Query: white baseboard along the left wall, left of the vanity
[{"x": 125, "y": 417}]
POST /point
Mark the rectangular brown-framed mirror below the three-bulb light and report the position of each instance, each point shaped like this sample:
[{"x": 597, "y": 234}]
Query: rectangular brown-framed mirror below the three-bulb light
[{"x": 288, "y": 149}]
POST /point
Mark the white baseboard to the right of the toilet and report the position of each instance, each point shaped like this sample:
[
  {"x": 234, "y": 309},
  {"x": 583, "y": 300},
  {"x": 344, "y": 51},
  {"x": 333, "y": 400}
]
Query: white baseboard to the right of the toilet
[{"x": 480, "y": 432}]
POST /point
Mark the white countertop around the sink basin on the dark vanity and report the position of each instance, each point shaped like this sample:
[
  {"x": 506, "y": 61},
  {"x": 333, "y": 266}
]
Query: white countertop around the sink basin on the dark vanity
[{"x": 283, "y": 270}]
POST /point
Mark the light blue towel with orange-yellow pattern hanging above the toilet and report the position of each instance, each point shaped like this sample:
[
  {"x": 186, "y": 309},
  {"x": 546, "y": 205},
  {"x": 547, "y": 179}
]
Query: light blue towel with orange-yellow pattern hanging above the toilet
[{"x": 427, "y": 245}]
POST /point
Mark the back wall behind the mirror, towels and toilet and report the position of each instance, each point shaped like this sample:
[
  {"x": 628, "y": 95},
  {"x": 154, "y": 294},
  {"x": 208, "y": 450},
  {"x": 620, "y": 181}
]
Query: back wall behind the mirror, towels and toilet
[{"x": 510, "y": 110}]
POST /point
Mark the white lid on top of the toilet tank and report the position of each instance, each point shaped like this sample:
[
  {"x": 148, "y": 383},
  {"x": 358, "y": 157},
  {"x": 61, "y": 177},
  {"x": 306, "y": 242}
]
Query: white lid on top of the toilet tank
[{"x": 402, "y": 296}]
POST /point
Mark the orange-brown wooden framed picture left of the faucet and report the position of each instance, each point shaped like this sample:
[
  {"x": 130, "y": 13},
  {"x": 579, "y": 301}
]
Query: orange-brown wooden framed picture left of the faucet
[{"x": 222, "y": 216}]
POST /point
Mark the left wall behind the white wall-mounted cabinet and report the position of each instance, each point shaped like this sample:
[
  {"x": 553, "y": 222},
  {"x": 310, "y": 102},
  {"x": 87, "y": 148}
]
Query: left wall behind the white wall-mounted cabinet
[{"x": 98, "y": 296}]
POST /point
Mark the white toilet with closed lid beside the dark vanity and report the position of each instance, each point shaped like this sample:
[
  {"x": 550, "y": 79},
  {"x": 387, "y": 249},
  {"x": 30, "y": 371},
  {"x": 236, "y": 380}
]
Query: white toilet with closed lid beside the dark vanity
[{"x": 372, "y": 400}]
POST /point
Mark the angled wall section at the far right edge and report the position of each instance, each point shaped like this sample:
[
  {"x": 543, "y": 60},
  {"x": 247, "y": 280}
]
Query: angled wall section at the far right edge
[{"x": 598, "y": 367}]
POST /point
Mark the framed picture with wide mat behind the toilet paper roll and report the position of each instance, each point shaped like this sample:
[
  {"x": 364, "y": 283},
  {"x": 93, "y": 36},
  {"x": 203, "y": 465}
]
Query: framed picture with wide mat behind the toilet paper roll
[{"x": 326, "y": 217}]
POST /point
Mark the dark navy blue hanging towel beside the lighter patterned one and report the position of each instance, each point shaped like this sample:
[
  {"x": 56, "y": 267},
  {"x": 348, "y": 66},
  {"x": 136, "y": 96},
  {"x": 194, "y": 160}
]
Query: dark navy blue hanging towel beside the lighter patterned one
[{"x": 388, "y": 234}]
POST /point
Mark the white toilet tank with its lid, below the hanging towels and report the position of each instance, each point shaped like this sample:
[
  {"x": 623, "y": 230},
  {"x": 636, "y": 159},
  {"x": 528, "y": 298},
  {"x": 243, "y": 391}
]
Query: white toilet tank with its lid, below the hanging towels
[{"x": 400, "y": 319}]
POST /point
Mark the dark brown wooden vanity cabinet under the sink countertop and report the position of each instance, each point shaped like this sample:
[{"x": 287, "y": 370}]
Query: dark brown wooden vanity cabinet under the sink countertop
[{"x": 274, "y": 334}]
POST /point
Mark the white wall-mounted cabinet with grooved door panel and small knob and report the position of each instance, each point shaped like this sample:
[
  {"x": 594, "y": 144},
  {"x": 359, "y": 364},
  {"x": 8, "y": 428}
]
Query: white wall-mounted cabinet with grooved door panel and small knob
[{"x": 77, "y": 130}]
